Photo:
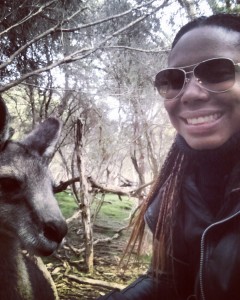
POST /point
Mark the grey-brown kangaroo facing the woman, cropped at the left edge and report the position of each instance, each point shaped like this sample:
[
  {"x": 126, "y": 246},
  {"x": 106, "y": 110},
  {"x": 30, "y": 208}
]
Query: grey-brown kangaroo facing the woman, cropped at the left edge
[{"x": 30, "y": 218}]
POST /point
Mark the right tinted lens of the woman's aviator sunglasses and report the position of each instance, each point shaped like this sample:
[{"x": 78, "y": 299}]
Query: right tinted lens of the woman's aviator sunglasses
[{"x": 216, "y": 75}]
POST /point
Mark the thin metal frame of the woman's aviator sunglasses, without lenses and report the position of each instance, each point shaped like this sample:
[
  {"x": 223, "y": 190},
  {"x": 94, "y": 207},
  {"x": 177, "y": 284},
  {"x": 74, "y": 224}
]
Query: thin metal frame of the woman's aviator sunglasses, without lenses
[{"x": 198, "y": 80}]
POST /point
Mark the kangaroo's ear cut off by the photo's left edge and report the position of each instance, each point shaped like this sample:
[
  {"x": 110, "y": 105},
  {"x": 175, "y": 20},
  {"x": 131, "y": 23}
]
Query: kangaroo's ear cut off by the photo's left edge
[{"x": 4, "y": 122}]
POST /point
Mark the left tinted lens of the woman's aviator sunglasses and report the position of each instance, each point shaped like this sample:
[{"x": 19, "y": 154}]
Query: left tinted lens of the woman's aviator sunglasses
[{"x": 170, "y": 82}]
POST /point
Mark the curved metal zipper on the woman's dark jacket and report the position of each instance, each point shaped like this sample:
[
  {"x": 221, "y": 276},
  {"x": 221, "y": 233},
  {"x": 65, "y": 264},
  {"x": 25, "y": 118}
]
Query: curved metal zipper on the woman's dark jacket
[{"x": 202, "y": 250}]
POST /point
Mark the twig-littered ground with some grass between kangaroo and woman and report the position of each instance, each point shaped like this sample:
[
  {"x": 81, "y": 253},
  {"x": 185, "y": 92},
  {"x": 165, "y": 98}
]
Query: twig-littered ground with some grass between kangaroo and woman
[{"x": 67, "y": 267}]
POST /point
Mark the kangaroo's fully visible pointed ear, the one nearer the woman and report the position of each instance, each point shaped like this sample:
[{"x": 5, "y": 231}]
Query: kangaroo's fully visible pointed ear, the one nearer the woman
[{"x": 44, "y": 137}]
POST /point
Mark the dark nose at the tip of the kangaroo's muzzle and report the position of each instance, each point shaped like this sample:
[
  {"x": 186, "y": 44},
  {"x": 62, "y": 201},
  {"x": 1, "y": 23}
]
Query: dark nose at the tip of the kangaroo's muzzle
[{"x": 55, "y": 231}]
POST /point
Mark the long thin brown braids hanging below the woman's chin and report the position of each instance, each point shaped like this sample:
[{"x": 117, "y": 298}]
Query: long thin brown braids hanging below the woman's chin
[{"x": 170, "y": 176}]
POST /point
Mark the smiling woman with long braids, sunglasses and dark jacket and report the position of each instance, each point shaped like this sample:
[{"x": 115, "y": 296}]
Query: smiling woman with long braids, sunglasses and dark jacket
[{"x": 194, "y": 207}]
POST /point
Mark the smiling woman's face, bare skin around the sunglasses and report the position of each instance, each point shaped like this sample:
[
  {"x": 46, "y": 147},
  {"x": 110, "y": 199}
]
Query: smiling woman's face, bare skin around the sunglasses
[{"x": 206, "y": 120}]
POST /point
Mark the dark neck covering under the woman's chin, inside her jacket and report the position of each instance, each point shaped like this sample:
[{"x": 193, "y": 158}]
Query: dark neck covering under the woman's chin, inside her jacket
[{"x": 211, "y": 169}]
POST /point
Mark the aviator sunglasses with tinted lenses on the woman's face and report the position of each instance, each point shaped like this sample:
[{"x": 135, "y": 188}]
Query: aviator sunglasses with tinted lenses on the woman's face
[{"x": 216, "y": 75}]
